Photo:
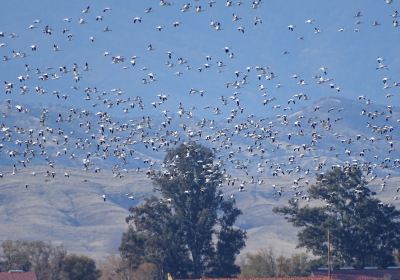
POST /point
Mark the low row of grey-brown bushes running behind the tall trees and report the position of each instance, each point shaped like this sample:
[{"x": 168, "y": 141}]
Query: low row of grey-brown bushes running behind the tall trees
[{"x": 51, "y": 262}]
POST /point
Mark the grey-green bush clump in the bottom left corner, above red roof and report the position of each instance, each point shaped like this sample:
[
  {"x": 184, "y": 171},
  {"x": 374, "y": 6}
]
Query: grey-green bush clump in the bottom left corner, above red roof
[{"x": 47, "y": 261}]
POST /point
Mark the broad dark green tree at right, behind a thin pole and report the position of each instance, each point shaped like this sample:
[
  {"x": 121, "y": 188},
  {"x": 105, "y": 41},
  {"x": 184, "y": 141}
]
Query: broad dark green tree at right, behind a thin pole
[{"x": 364, "y": 231}]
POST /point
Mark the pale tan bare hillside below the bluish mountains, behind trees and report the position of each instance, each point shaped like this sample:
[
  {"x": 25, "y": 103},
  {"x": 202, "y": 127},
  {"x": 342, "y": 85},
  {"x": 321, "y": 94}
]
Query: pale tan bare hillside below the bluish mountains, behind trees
[{"x": 71, "y": 211}]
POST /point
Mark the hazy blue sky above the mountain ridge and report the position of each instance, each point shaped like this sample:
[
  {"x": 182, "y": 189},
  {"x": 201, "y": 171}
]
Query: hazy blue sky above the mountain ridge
[{"x": 349, "y": 56}]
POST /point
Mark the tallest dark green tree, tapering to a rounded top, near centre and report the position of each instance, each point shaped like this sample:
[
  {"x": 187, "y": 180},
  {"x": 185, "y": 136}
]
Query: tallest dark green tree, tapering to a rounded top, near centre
[{"x": 189, "y": 229}]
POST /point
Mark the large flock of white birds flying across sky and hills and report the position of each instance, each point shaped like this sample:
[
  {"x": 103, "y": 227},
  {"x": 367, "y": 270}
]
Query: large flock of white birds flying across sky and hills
[{"x": 297, "y": 145}]
